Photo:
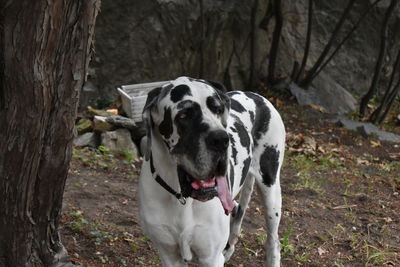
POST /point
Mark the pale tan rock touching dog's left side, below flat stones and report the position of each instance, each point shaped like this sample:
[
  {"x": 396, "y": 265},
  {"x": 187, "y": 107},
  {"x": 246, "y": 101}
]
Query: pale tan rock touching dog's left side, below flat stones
[{"x": 120, "y": 140}]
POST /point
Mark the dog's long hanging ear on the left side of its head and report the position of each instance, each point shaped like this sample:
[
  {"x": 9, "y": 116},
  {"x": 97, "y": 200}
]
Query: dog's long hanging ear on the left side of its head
[{"x": 152, "y": 99}]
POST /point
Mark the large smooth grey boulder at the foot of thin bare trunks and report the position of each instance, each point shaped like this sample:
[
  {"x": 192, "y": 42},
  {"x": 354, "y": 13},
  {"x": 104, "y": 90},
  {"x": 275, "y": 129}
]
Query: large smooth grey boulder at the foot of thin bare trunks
[{"x": 326, "y": 93}]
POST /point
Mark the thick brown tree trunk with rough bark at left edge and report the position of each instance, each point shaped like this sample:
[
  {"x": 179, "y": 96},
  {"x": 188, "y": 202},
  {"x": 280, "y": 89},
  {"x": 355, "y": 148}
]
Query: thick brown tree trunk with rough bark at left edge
[{"x": 44, "y": 55}]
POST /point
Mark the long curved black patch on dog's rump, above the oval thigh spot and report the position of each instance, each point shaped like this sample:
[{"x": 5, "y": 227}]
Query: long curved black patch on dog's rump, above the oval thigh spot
[{"x": 262, "y": 116}]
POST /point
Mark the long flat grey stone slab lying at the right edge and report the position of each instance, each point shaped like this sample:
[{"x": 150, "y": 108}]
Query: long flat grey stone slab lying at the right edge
[{"x": 367, "y": 129}]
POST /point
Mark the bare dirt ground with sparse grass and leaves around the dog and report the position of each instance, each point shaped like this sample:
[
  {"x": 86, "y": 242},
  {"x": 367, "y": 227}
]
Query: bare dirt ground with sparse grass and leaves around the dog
[{"x": 341, "y": 202}]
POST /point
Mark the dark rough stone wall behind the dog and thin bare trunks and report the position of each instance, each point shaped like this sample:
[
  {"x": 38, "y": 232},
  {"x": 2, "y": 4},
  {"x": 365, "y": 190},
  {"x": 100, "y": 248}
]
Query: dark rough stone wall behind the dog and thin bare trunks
[{"x": 151, "y": 40}]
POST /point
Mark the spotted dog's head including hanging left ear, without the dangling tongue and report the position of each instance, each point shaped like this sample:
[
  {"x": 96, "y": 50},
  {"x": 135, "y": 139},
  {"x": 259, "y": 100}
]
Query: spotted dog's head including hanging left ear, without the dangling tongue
[{"x": 190, "y": 117}]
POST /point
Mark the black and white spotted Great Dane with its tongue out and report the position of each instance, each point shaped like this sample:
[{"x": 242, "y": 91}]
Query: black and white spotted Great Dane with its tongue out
[{"x": 203, "y": 146}]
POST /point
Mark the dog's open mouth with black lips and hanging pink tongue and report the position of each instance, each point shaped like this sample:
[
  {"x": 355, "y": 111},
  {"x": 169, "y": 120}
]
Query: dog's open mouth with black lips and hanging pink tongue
[{"x": 206, "y": 189}]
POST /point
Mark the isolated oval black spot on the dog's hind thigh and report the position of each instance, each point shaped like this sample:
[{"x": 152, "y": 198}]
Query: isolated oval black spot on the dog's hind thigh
[{"x": 269, "y": 163}]
